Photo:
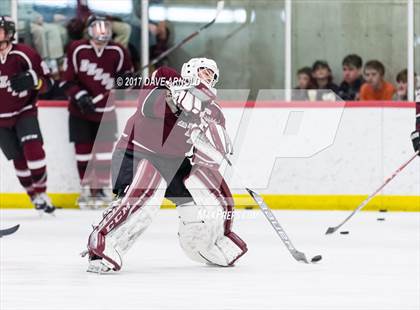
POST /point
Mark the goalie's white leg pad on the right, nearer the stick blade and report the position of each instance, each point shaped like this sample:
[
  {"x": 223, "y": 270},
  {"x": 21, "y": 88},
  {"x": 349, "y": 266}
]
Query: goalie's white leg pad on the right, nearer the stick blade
[{"x": 202, "y": 228}]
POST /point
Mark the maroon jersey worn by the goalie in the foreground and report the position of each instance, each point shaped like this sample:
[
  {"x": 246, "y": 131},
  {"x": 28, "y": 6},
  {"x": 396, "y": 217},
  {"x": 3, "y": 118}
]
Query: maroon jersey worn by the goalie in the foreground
[{"x": 155, "y": 129}]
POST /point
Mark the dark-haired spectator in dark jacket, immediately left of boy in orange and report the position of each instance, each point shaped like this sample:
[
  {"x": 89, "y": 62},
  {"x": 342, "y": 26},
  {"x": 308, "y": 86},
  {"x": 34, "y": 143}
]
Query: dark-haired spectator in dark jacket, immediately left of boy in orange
[{"x": 352, "y": 77}]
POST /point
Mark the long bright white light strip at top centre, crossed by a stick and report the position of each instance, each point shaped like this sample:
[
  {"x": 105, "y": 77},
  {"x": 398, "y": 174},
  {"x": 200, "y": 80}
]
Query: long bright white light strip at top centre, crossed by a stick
[{"x": 196, "y": 15}]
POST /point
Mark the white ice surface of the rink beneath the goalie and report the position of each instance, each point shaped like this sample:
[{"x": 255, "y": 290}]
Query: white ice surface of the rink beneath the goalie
[{"x": 375, "y": 267}]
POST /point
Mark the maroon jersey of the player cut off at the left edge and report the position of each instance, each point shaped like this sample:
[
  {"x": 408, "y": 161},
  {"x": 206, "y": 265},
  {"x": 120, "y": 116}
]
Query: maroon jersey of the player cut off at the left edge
[{"x": 14, "y": 104}]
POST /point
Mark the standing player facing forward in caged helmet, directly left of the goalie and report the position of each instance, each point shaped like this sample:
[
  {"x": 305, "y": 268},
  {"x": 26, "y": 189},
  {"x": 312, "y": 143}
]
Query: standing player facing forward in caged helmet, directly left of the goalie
[{"x": 91, "y": 67}]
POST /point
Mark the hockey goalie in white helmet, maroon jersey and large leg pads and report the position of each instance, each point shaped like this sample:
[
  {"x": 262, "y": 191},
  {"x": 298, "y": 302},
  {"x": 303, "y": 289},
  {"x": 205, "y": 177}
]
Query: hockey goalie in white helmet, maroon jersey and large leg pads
[{"x": 172, "y": 146}]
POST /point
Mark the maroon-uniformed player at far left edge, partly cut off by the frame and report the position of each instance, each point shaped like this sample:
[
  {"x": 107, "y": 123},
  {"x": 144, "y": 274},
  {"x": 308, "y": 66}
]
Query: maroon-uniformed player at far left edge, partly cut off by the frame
[{"x": 22, "y": 76}]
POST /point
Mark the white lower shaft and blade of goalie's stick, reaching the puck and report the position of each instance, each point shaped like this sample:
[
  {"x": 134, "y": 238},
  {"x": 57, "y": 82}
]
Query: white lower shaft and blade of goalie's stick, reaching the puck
[{"x": 299, "y": 256}]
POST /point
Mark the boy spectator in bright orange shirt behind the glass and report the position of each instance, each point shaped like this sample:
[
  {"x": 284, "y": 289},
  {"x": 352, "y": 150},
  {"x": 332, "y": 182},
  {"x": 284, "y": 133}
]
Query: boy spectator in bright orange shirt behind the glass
[{"x": 376, "y": 88}]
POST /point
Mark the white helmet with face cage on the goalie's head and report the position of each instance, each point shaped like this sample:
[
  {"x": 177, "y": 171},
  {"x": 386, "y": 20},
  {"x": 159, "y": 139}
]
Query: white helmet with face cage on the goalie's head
[{"x": 190, "y": 71}]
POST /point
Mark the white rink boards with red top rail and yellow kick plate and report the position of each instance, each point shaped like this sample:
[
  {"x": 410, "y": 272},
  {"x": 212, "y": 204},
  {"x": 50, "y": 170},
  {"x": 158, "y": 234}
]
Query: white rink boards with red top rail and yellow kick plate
[{"x": 312, "y": 156}]
